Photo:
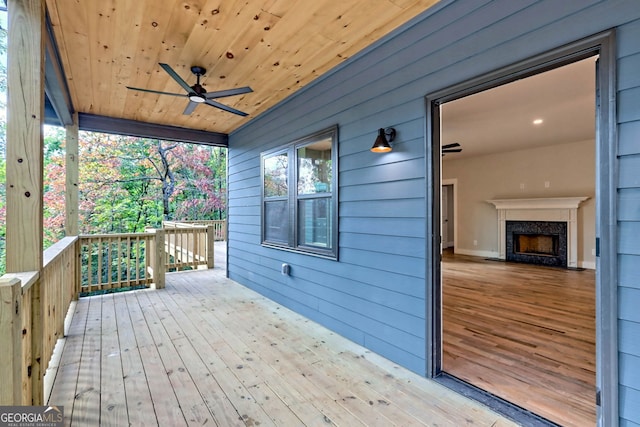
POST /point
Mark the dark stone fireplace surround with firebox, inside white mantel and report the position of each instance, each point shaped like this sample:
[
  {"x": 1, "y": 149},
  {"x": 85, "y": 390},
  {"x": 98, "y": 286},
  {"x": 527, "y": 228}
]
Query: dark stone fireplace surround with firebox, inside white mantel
[{"x": 537, "y": 242}]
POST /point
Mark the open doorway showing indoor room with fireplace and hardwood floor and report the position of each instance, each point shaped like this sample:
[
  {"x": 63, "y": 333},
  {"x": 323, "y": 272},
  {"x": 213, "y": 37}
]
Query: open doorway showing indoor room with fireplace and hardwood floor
[{"x": 519, "y": 335}]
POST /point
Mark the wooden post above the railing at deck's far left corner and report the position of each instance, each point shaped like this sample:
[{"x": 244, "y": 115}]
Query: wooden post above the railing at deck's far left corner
[{"x": 71, "y": 185}]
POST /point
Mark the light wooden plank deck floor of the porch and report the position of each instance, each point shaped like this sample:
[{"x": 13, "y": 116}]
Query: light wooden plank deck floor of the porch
[{"x": 207, "y": 351}]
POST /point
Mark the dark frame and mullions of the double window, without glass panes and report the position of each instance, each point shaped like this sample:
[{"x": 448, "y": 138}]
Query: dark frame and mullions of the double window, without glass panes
[{"x": 293, "y": 198}]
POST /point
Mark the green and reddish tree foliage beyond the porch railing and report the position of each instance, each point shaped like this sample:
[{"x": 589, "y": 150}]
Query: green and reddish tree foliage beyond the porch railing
[{"x": 127, "y": 184}]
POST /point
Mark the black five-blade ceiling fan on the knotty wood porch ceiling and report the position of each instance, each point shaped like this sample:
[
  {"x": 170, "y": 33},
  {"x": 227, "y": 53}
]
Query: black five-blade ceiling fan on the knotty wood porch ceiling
[{"x": 197, "y": 94}]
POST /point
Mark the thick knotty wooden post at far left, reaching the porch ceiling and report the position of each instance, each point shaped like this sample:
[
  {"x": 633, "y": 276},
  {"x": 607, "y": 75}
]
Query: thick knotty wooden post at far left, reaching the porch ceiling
[{"x": 24, "y": 187}]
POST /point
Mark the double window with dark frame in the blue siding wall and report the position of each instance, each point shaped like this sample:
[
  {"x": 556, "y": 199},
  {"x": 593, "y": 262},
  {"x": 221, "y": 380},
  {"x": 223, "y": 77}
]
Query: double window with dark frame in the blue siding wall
[{"x": 299, "y": 195}]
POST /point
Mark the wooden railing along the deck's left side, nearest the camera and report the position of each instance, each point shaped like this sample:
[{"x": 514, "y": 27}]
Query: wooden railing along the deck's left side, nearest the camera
[{"x": 33, "y": 307}]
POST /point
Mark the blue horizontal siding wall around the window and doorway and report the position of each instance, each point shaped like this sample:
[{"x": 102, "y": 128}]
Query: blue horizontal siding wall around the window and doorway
[{"x": 375, "y": 294}]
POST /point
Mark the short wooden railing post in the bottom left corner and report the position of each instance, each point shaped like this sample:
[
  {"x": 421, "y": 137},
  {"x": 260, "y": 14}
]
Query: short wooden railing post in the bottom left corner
[{"x": 10, "y": 341}]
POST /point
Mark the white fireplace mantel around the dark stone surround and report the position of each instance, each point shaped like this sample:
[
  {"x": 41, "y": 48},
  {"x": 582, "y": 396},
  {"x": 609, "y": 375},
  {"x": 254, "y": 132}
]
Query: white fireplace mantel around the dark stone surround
[{"x": 562, "y": 209}]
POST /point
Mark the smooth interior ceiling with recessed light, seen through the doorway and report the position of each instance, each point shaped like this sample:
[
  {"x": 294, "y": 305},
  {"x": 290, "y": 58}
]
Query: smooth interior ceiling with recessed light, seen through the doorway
[{"x": 501, "y": 119}]
